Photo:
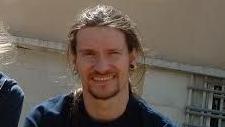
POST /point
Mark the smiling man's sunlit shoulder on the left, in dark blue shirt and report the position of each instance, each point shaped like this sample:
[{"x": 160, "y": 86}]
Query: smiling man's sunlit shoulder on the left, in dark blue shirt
[{"x": 50, "y": 110}]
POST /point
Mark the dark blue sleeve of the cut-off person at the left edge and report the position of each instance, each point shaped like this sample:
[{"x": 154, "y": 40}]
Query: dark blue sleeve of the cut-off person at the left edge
[{"x": 11, "y": 101}]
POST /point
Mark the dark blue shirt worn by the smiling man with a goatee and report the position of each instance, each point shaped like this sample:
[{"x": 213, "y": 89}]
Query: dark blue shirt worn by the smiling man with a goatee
[{"x": 60, "y": 111}]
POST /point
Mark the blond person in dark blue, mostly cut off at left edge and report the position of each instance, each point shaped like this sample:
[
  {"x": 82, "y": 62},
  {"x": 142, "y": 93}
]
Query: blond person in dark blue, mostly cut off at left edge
[{"x": 11, "y": 95}]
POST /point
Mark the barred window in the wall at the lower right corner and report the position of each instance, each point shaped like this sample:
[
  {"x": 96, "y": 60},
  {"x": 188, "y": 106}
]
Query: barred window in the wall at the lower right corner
[{"x": 206, "y": 102}]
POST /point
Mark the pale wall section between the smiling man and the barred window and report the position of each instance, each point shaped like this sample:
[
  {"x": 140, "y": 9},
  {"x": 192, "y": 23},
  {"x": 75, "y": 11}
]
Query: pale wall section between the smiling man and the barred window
[{"x": 167, "y": 91}]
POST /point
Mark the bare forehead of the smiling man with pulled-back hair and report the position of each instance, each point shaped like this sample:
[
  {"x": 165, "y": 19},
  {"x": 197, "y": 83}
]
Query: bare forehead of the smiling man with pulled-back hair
[{"x": 100, "y": 37}]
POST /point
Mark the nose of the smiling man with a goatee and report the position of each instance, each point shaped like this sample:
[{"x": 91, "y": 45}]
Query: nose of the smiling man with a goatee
[{"x": 102, "y": 65}]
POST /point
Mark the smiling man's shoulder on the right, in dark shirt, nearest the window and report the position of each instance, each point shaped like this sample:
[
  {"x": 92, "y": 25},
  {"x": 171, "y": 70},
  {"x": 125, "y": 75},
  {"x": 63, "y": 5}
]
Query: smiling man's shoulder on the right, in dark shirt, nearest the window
[{"x": 151, "y": 116}]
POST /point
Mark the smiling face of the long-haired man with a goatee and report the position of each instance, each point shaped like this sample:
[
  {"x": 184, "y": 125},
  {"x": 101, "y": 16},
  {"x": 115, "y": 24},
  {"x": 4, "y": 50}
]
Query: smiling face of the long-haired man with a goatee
[{"x": 102, "y": 61}]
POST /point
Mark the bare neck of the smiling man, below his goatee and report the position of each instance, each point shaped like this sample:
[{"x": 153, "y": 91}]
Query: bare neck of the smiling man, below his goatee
[{"x": 106, "y": 110}]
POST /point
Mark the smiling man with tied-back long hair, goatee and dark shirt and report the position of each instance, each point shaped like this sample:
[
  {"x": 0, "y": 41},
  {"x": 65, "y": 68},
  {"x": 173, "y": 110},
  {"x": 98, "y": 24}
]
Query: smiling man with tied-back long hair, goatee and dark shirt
[{"x": 104, "y": 47}]
